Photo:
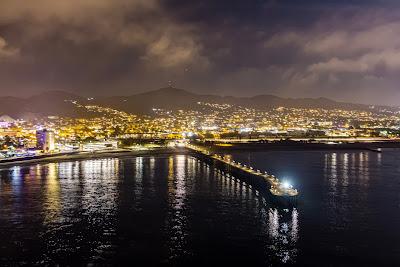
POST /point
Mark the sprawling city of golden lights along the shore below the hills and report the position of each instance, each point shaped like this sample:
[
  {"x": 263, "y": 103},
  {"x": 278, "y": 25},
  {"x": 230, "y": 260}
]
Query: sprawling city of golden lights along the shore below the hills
[{"x": 203, "y": 121}]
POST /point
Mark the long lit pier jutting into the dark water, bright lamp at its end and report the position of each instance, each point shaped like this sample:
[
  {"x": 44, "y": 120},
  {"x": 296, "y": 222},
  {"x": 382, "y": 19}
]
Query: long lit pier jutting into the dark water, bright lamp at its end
[{"x": 265, "y": 182}]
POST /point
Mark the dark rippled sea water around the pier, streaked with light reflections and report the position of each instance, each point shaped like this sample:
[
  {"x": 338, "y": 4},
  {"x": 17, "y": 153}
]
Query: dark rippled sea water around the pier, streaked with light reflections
[{"x": 174, "y": 210}]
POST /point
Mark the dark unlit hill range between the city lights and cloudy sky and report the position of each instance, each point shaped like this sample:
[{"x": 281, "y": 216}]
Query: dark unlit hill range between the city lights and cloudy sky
[{"x": 59, "y": 103}]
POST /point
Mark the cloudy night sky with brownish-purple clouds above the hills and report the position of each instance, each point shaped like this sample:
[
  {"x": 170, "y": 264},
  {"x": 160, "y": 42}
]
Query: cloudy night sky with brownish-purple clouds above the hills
[{"x": 345, "y": 50}]
